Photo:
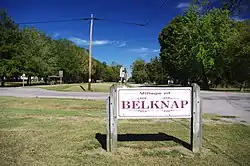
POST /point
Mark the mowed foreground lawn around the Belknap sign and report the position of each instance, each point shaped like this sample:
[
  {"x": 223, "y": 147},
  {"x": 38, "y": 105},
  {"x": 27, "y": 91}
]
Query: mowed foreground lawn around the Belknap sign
[{"x": 64, "y": 132}]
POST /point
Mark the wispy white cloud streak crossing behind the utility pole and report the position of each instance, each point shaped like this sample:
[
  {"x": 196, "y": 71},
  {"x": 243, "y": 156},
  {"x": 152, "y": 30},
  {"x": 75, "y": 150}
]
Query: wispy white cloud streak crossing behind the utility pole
[{"x": 82, "y": 42}]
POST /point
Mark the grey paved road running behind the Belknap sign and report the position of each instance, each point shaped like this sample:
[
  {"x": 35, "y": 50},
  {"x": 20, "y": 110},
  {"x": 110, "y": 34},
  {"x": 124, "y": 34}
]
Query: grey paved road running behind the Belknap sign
[{"x": 222, "y": 103}]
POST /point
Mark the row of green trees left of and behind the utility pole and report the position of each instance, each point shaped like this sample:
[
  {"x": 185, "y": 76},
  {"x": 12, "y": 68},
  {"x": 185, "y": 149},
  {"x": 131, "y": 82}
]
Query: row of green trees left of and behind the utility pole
[{"x": 30, "y": 51}]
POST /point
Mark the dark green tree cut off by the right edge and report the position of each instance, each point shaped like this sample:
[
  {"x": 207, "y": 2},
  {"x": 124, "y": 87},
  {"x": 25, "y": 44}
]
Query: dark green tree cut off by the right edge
[{"x": 236, "y": 56}]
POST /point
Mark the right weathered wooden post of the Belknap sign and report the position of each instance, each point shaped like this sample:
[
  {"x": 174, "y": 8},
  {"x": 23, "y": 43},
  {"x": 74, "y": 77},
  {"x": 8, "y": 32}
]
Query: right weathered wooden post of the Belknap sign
[{"x": 196, "y": 121}]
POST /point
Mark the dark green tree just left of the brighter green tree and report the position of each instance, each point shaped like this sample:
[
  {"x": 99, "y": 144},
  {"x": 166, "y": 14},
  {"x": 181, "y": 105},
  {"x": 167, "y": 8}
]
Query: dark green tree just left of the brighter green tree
[{"x": 176, "y": 41}]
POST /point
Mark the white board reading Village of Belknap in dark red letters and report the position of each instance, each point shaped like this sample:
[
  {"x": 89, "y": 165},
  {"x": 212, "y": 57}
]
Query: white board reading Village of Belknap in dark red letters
[{"x": 146, "y": 102}]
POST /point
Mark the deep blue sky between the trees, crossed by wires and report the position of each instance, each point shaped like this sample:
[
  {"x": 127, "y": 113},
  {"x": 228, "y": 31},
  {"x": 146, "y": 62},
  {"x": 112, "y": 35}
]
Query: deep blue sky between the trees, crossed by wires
[{"x": 117, "y": 42}]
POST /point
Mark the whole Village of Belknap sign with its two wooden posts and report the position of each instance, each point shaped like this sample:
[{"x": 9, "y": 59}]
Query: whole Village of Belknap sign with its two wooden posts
[{"x": 151, "y": 103}]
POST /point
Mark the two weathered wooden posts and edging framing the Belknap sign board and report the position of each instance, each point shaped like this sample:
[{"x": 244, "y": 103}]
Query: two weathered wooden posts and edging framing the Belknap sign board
[{"x": 112, "y": 118}]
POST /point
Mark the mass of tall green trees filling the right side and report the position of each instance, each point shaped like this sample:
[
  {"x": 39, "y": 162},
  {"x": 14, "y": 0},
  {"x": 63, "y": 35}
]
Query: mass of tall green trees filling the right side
[{"x": 209, "y": 48}]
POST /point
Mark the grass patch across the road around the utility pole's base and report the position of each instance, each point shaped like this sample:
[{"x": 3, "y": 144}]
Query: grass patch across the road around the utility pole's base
[{"x": 95, "y": 87}]
